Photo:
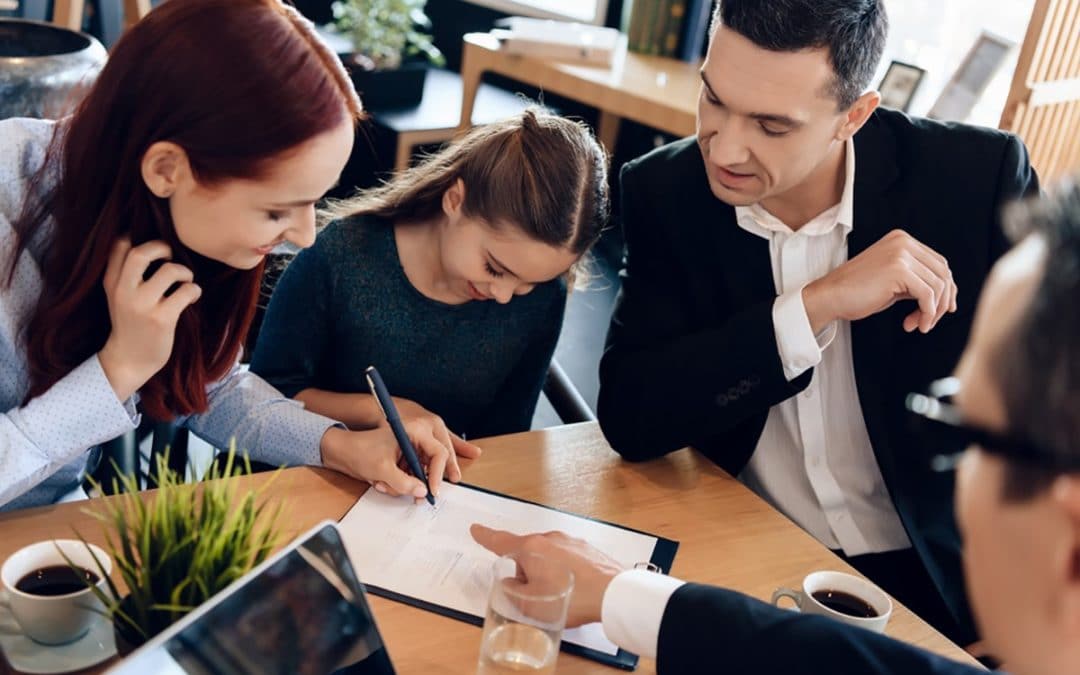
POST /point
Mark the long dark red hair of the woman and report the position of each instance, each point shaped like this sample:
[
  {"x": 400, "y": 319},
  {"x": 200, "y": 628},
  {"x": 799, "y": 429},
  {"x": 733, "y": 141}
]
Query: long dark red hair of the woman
[{"x": 234, "y": 83}]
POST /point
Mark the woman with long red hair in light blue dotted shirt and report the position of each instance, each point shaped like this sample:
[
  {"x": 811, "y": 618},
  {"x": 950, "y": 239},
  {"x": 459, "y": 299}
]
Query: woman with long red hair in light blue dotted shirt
[{"x": 133, "y": 237}]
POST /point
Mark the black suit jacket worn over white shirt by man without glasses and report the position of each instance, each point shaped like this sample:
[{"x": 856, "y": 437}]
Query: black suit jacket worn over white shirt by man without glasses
[{"x": 692, "y": 357}]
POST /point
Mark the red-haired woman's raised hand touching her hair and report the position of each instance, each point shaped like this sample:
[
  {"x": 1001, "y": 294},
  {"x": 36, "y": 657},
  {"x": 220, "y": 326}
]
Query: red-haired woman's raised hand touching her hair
[{"x": 143, "y": 312}]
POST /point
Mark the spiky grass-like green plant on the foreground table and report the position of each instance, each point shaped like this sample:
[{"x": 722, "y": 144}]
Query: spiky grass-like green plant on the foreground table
[{"x": 177, "y": 549}]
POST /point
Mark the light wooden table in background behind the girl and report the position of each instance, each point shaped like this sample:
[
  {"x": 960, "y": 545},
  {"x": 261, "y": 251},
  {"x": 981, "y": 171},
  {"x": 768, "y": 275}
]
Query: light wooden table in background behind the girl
[{"x": 655, "y": 91}]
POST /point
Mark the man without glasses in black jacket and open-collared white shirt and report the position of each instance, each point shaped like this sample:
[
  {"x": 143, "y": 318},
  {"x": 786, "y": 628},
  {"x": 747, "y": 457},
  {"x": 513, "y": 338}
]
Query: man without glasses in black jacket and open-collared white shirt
[{"x": 793, "y": 272}]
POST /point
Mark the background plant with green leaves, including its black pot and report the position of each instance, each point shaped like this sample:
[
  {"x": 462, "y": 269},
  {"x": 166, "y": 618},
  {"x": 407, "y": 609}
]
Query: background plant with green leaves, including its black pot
[{"x": 390, "y": 49}]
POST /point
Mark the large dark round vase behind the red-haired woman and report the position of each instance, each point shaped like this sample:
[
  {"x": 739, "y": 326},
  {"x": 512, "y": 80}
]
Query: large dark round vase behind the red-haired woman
[{"x": 45, "y": 71}]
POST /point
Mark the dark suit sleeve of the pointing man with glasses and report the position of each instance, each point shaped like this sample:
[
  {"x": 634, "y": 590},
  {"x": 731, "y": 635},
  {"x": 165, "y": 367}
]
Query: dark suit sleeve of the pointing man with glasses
[{"x": 710, "y": 630}]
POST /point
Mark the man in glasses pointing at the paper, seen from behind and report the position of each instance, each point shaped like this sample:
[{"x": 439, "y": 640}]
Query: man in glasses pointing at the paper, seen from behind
[{"x": 1017, "y": 411}]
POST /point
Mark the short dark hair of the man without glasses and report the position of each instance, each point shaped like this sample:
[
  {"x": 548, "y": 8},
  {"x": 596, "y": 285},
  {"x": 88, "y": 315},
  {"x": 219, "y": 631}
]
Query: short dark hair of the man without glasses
[{"x": 854, "y": 32}]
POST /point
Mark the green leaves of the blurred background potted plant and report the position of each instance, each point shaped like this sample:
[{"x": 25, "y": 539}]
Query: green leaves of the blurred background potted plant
[{"x": 387, "y": 31}]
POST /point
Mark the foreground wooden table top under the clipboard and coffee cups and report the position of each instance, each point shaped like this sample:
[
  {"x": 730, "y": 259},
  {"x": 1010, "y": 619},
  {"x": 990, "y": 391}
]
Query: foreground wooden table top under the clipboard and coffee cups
[{"x": 728, "y": 536}]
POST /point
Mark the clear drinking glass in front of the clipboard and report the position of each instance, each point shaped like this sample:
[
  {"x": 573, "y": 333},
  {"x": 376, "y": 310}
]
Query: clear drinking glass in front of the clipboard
[{"x": 524, "y": 624}]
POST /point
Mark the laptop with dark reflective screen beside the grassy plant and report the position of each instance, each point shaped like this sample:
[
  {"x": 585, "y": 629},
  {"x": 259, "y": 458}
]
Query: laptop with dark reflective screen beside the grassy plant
[{"x": 304, "y": 611}]
